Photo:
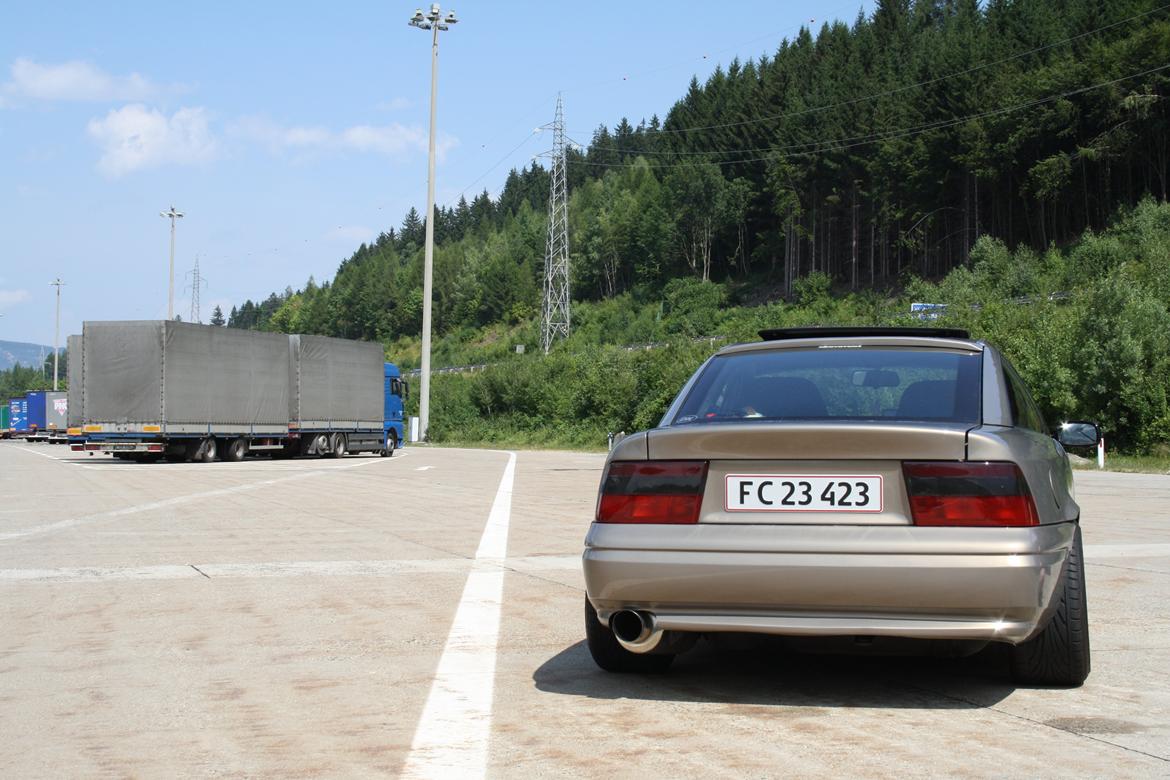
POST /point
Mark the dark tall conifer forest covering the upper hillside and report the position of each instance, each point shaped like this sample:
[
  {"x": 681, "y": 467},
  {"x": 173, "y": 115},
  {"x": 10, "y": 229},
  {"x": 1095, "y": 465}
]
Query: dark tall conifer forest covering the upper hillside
[{"x": 866, "y": 153}]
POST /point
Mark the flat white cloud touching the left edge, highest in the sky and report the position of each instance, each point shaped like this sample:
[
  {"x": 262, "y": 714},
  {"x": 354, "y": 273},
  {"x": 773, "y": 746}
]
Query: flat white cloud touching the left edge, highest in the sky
[{"x": 74, "y": 81}]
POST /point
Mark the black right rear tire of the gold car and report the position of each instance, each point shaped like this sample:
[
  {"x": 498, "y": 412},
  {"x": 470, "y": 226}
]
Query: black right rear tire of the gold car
[{"x": 1061, "y": 654}]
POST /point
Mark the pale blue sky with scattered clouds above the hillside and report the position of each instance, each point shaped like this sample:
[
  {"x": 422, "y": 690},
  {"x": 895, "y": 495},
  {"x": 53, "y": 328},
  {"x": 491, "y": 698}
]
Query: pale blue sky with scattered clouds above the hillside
[{"x": 291, "y": 133}]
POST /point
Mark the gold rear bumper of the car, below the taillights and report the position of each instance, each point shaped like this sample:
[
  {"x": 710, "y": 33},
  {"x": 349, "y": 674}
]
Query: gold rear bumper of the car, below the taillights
[{"x": 981, "y": 584}]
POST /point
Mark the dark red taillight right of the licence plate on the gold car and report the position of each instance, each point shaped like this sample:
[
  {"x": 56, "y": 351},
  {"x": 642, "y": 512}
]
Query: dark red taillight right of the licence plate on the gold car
[{"x": 969, "y": 494}]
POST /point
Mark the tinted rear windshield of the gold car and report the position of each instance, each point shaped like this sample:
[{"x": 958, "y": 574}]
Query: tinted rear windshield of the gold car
[{"x": 837, "y": 384}]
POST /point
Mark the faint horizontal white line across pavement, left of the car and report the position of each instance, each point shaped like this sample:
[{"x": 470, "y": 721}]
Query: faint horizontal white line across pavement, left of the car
[{"x": 271, "y": 570}]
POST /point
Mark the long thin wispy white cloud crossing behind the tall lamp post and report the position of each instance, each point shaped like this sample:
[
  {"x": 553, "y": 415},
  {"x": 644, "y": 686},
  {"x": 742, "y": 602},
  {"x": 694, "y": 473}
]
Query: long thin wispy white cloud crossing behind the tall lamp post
[{"x": 391, "y": 141}]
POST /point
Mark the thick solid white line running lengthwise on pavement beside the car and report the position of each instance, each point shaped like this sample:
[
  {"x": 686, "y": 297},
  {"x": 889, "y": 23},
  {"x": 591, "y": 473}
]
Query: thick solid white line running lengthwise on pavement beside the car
[{"x": 455, "y": 733}]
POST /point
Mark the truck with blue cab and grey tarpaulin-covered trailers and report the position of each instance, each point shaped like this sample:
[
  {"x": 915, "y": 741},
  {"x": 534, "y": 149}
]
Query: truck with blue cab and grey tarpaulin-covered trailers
[{"x": 155, "y": 390}]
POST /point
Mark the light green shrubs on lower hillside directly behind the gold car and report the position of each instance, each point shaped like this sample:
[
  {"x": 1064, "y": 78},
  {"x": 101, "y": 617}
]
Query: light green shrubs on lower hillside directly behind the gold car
[{"x": 1100, "y": 351}]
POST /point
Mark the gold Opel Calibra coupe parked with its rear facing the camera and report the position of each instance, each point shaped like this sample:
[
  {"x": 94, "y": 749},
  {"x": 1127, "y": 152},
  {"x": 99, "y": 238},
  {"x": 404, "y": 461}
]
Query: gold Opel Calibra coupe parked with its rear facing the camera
[{"x": 844, "y": 484}]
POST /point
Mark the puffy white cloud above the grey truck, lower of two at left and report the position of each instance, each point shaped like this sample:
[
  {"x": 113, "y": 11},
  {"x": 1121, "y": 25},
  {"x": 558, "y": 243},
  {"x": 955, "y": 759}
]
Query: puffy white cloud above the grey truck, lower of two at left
[{"x": 135, "y": 137}]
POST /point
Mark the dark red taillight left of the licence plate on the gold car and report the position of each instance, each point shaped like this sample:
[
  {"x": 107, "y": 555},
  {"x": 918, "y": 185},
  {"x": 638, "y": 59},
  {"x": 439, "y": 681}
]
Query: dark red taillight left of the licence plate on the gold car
[{"x": 652, "y": 492}]
